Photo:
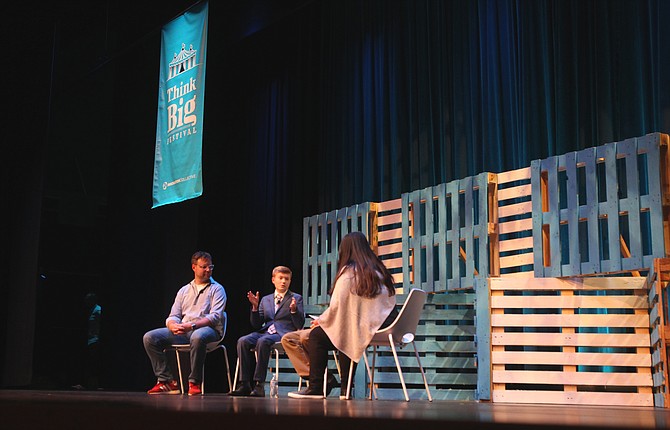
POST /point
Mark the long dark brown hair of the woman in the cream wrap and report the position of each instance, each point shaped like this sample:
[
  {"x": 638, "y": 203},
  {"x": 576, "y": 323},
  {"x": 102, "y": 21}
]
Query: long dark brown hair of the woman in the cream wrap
[{"x": 368, "y": 269}]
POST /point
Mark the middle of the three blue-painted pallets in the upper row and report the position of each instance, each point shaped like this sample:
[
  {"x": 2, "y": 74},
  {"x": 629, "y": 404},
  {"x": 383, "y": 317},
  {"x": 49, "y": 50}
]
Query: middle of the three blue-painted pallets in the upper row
[{"x": 446, "y": 234}]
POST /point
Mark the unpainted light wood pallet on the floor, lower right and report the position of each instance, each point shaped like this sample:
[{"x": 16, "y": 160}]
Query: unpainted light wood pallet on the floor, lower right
[{"x": 570, "y": 341}]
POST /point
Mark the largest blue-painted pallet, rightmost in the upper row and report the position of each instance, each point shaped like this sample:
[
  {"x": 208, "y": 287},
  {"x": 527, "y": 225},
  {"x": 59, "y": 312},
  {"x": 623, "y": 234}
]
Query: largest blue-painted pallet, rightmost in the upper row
[{"x": 600, "y": 210}]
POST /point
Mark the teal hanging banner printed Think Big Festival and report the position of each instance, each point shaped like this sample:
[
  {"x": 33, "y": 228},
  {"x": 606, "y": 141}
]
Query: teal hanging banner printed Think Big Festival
[{"x": 181, "y": 97}]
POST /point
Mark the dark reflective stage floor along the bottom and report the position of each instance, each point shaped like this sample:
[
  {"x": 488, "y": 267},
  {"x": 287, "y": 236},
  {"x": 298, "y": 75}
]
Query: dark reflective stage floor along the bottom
[{"x": 31, "y": 409}]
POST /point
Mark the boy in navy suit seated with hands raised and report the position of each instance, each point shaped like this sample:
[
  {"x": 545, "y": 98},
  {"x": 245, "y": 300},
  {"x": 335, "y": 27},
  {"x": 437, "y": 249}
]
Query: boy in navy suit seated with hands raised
[{"x": 272, "y": 316}]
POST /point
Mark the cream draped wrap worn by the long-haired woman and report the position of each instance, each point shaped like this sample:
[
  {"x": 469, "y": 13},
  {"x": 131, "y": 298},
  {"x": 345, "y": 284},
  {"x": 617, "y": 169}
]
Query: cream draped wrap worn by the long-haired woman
[{"x": 350, "y": 320}]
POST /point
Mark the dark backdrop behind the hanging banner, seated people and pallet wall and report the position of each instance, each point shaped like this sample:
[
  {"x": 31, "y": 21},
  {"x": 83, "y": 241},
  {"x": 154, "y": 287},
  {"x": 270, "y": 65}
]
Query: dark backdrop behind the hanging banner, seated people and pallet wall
[{"x": 310, "y": 106}]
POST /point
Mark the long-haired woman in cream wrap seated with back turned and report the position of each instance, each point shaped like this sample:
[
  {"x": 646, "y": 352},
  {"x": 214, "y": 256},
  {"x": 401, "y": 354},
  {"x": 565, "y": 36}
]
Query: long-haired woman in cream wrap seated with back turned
[{"x": 362, "y": 300}]
